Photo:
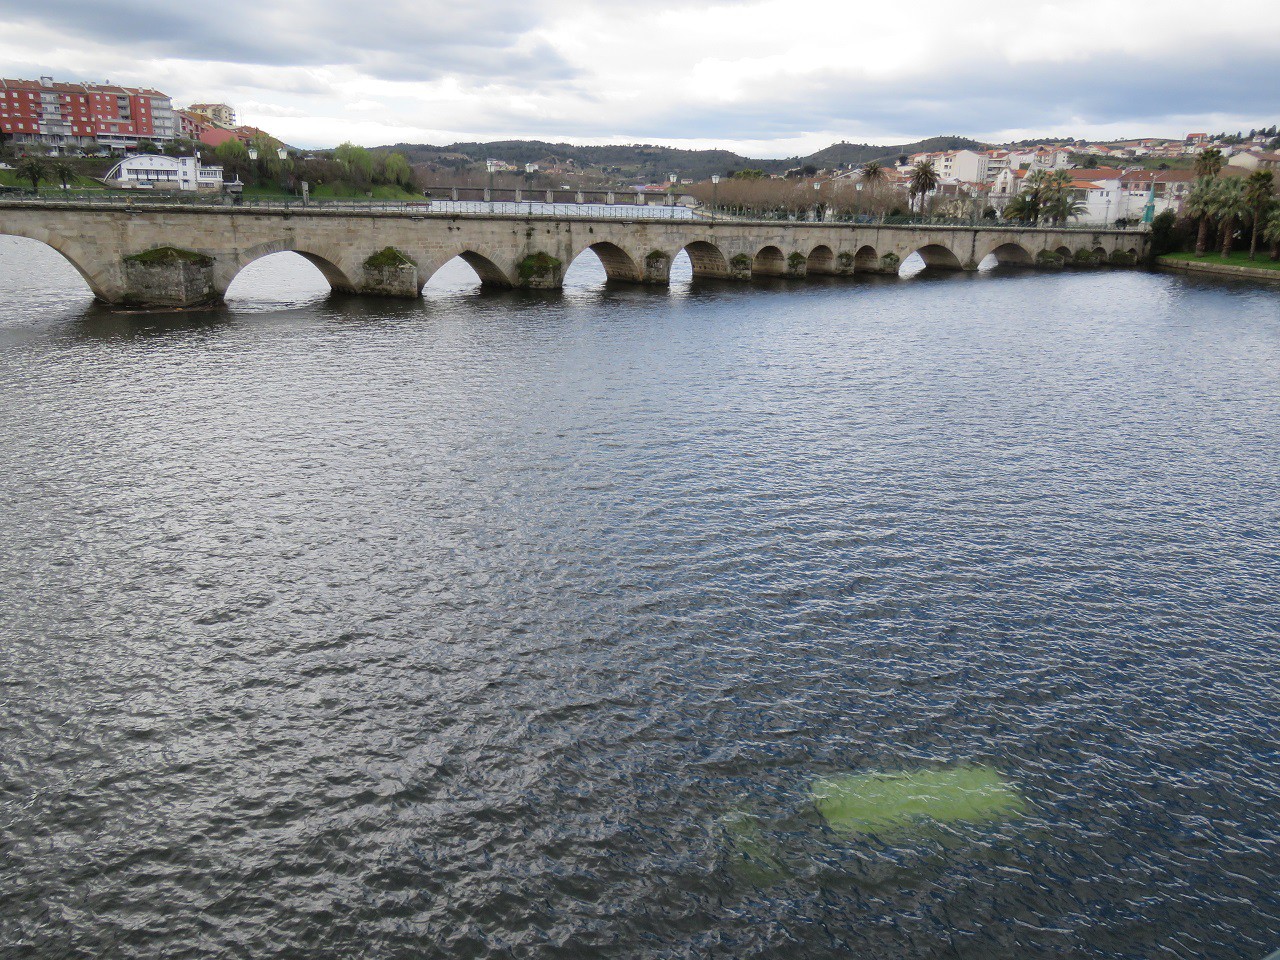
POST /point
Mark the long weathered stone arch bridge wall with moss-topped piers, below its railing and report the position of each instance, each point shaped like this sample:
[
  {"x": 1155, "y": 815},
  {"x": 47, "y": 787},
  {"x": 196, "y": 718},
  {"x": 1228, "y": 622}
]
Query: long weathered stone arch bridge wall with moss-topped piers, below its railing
[{"x": 180, "y": 255}]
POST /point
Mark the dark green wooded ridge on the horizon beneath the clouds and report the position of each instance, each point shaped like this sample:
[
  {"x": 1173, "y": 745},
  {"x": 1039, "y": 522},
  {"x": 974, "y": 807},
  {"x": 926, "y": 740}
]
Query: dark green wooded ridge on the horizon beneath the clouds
[{"x": 653, "y": 163}]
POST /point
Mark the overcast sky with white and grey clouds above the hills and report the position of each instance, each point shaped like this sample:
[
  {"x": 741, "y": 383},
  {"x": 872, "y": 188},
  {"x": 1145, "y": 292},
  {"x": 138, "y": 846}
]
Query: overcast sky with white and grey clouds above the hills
[{"x": 766, "y": 79}]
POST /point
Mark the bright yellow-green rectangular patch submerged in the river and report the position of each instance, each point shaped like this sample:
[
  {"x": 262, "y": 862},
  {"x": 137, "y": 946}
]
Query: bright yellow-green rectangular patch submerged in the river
[{"x": 894, "y": 803}]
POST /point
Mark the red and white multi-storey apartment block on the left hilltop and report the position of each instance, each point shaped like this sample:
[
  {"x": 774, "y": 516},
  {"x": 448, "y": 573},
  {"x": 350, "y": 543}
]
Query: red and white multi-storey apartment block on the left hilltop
[{"x": 84, "y": 115}]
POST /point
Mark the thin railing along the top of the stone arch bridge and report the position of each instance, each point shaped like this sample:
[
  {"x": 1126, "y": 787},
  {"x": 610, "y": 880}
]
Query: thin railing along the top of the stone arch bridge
[{"x": 532, "y": 209}]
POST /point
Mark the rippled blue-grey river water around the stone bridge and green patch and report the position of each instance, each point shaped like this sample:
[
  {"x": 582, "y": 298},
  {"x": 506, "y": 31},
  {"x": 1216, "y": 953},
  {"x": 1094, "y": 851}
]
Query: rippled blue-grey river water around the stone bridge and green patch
[{"x": 524, "y": 625}]
